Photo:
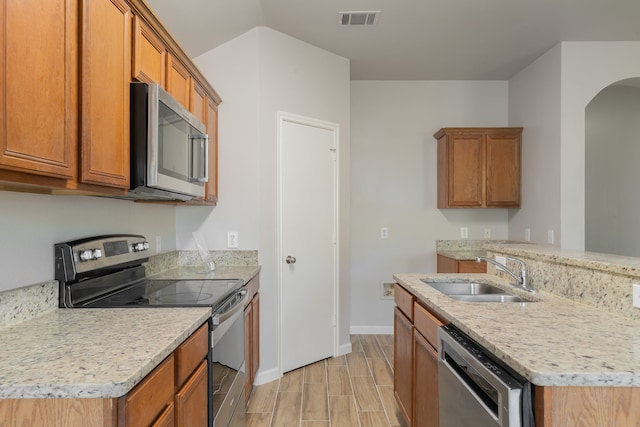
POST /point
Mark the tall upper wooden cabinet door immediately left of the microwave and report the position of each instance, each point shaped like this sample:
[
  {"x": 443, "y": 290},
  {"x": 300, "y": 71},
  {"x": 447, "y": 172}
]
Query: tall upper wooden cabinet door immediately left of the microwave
[{"x": 106, "y": 73}]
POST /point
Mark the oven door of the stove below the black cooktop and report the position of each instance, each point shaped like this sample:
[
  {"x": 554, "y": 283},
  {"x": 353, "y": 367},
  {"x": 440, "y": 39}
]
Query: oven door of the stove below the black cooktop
[{"x": 228, "y": 367}]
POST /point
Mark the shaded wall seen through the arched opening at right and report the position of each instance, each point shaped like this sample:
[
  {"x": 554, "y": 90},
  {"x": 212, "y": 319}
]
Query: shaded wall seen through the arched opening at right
[{"x": 612, "y": 205}]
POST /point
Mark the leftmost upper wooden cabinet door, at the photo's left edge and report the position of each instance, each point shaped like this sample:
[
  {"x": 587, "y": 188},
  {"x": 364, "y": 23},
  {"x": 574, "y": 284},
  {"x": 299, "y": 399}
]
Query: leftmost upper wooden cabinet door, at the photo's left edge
[{"x": 38, "y": 87}]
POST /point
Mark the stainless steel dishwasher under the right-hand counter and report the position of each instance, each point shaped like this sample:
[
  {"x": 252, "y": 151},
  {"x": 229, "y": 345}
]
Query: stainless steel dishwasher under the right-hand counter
[{"x": 474, "y": 389}]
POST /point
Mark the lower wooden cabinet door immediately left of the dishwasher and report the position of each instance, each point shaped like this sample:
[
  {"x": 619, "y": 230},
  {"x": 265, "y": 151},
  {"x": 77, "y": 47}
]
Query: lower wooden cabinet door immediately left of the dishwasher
[{"x": 426, "y": 383}]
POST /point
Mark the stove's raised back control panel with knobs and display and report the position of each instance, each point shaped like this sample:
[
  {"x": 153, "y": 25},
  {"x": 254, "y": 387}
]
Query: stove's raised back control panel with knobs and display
[{"x": 85, "y": 257}]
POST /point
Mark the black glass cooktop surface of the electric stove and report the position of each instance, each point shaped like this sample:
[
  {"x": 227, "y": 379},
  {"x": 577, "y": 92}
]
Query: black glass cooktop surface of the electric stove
[{"x": 169, "y": 293}]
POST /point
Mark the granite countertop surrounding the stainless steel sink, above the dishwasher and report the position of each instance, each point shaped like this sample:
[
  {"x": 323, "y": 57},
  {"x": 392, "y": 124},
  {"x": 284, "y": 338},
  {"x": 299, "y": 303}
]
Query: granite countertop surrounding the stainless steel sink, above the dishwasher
[{"x": 551, "y": 342}]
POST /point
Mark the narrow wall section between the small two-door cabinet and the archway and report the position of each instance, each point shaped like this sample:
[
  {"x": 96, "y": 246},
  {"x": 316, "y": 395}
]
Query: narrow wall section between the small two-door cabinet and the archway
[{"x": 534, "y": 103}]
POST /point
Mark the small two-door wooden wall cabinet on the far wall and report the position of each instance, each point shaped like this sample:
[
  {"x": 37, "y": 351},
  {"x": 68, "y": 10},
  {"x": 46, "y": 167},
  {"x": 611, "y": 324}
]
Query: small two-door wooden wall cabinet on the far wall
[{"x": 479, "y": 167}]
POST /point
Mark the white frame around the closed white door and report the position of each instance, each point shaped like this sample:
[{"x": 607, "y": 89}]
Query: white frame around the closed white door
[{"x": 283, "y": 117}]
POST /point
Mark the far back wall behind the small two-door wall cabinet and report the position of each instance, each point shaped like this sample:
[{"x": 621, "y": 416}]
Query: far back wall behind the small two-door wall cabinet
[{"x": 393, "y": 182}]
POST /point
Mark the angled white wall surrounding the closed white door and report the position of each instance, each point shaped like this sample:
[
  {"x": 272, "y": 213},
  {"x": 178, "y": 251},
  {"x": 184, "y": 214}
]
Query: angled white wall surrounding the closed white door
[{"x": 258, "y": 74}]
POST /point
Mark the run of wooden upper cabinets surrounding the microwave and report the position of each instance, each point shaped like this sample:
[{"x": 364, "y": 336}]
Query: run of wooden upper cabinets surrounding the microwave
[{"x": 64, "y": 93}]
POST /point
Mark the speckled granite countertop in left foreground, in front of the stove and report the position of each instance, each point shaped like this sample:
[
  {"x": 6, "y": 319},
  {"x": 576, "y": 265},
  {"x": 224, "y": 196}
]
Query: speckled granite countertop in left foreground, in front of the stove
[{"x": 90, "y": 353}]
